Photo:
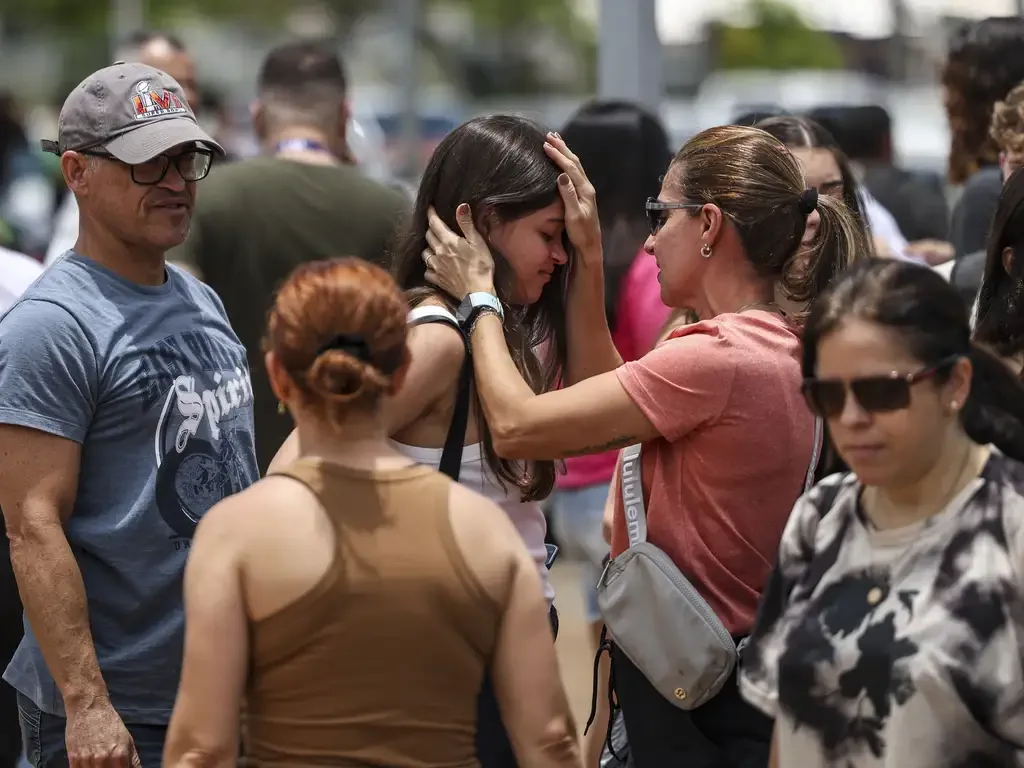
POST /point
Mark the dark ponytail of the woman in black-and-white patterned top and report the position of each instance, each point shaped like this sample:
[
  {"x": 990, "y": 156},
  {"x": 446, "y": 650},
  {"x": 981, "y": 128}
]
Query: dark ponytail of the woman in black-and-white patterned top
[{"x": 995, "y": 411}]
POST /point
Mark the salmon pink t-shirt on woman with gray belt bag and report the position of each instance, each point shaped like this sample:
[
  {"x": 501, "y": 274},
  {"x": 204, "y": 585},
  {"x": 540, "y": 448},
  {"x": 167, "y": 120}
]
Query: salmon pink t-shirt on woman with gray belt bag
[{"x": 737, "y": 442}]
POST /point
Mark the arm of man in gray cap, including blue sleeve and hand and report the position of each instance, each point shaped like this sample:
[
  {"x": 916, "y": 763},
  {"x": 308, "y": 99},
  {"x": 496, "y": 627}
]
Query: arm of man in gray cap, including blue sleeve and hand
[{"x": 49, "y": 391}]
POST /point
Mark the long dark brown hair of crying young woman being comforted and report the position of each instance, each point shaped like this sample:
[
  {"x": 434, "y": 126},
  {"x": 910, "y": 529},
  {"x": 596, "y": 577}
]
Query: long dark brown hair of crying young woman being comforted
[{"x": 498, "y": 166}]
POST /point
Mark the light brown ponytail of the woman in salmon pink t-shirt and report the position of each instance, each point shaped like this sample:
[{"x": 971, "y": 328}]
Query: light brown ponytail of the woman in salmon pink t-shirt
[{"x": 841, "y": 242}]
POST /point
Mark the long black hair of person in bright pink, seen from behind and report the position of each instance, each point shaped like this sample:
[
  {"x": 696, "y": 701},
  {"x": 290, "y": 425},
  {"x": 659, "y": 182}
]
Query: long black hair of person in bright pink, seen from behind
[{"x": 625, "y": 151}]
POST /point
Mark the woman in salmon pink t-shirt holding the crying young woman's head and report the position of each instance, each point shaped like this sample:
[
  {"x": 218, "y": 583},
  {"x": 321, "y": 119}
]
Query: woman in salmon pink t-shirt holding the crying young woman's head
[{"x": 727, "y": 436}]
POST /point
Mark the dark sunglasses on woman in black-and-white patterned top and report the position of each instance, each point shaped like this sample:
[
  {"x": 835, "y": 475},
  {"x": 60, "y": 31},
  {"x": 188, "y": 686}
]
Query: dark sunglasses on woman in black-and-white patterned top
[{"x": 876, "y": 395}]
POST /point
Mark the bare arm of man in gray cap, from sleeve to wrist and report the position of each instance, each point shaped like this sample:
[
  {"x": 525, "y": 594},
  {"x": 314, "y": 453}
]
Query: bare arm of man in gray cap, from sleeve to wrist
[{"x": 38, "y": 483}]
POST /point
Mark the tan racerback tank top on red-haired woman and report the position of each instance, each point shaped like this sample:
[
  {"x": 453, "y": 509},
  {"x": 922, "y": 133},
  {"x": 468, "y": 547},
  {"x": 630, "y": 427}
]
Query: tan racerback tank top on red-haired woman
[{"x": 380, "y": 663}]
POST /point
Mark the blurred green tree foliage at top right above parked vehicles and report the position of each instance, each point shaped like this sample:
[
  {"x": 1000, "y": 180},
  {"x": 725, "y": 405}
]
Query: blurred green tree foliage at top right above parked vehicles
[{"x": 779, "y": 39}]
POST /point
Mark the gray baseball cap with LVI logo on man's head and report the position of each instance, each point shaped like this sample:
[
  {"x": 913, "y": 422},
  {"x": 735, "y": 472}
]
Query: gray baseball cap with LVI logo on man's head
[{"x": 133, "y": 111}]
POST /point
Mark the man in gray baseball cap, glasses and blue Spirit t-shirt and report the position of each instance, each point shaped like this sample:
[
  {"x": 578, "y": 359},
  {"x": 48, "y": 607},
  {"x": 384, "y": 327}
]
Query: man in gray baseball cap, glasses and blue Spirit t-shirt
[{"x": 125, "y": 414}]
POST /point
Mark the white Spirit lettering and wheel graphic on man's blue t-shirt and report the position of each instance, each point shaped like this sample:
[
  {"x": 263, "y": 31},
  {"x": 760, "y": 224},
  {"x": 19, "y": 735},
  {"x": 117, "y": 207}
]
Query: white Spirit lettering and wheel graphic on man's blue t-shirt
[{"x": 202, "y": 438}]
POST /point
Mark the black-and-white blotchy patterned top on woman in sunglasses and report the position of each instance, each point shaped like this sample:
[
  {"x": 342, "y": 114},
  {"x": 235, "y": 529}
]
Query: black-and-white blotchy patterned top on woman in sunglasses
[{"x": 897, "y": 649}]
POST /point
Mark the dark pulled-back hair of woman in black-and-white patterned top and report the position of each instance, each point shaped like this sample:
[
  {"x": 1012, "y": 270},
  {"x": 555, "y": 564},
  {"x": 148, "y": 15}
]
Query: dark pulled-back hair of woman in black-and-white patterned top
[{"x": 931, "y": 320}]
